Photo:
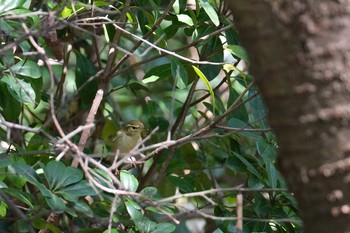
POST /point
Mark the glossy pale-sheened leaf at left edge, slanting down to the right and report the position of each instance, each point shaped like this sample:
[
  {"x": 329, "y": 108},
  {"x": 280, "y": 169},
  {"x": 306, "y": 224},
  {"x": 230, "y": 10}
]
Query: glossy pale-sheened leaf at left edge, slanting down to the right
[{"x": 19, "y": 89}]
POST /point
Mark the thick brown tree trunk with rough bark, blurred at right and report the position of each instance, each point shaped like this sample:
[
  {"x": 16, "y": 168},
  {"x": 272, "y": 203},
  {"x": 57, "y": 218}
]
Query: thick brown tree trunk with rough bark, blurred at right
[{"x": 300, "y": 56}]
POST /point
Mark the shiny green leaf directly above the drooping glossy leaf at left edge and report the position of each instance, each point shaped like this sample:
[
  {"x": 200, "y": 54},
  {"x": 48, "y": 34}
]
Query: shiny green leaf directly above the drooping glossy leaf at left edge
[{"x": 27, "y": 68}]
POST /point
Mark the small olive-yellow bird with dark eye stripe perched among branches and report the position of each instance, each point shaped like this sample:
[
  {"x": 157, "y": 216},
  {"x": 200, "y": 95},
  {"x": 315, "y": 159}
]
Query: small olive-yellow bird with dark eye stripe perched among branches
[{"x": 127, "y": 137}]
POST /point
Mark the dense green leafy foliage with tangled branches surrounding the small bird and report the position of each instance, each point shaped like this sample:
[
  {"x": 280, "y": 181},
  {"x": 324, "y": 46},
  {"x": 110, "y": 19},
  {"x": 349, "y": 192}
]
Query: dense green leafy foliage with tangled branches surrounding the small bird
[{"x": 177, "y": 67}]
